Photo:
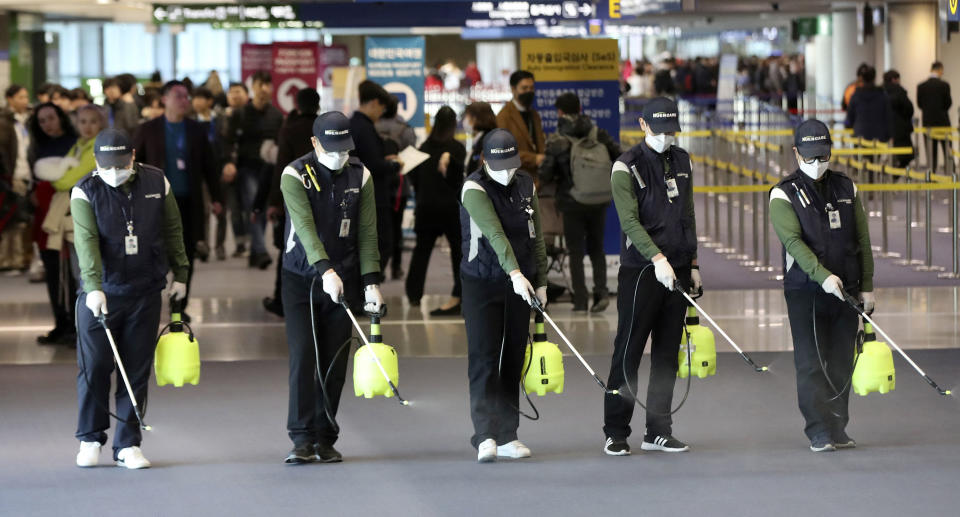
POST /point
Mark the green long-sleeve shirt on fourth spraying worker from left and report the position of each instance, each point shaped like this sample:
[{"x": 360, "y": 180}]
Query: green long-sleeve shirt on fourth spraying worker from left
[{"x": 628, "y": 210}]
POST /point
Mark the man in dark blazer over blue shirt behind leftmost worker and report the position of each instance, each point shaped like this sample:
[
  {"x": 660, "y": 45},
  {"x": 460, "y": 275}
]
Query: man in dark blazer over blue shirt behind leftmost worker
[{"x": 180, "y": 148}]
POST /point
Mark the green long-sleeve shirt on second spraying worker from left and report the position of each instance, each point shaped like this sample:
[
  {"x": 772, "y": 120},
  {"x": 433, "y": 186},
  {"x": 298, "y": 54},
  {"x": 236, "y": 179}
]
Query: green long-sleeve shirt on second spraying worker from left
[{"x": 301, "y": 216}]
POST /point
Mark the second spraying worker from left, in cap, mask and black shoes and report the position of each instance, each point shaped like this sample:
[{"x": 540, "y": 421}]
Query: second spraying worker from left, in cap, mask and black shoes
[{"x": 330, "y": 254}]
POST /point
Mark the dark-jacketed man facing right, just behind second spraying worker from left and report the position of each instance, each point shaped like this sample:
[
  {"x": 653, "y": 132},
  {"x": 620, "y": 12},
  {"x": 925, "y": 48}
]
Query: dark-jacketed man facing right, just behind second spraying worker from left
[{"x": 369, "y": 149}]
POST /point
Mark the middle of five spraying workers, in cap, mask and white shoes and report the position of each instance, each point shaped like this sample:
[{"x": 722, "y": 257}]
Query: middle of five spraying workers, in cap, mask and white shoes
[{"x": 503, "y": 252}]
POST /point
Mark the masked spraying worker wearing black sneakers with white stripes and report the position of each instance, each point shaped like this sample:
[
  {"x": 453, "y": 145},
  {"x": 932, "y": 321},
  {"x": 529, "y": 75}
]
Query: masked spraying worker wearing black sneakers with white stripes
[{"x": 653, "y": 194}]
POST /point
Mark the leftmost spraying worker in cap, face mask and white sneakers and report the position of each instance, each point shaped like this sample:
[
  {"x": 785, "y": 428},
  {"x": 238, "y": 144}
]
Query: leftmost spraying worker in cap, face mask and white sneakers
[{"x": 127, "y": 234}]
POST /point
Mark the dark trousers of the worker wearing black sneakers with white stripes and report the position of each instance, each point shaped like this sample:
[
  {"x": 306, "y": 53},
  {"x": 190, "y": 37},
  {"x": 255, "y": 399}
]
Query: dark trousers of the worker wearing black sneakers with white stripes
[{"x": 652, "y": 310}]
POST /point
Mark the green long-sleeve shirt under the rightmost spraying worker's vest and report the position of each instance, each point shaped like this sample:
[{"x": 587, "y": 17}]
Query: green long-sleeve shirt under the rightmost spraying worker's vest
[{"x": 787, "y": 225}]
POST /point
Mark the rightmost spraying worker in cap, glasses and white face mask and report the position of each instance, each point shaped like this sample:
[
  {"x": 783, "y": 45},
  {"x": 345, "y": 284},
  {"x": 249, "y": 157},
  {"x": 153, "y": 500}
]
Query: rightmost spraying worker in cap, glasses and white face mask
[{"x": 818, "y": 216}]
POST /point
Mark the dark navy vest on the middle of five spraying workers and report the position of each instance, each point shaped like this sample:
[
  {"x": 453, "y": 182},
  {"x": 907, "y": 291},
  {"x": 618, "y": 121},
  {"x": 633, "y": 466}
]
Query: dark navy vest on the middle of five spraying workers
[{"x": 514, "y": 206}]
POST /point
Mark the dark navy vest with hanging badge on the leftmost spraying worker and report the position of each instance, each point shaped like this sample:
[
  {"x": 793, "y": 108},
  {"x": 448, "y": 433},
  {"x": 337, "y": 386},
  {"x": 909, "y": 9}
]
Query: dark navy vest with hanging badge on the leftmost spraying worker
[{"x": 143, "y": 204}]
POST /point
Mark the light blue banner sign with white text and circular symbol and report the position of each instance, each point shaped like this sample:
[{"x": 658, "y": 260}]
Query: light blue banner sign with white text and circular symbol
[{"x": 397, "y": 65}]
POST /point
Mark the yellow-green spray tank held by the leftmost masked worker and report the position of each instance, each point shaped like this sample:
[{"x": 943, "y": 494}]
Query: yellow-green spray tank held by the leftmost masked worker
[{"x": 177, "y": 356}]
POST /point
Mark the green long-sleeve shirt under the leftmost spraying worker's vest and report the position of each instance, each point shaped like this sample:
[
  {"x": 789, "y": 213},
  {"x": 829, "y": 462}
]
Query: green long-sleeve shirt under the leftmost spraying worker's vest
[{"x": 86, "y": 238}]
